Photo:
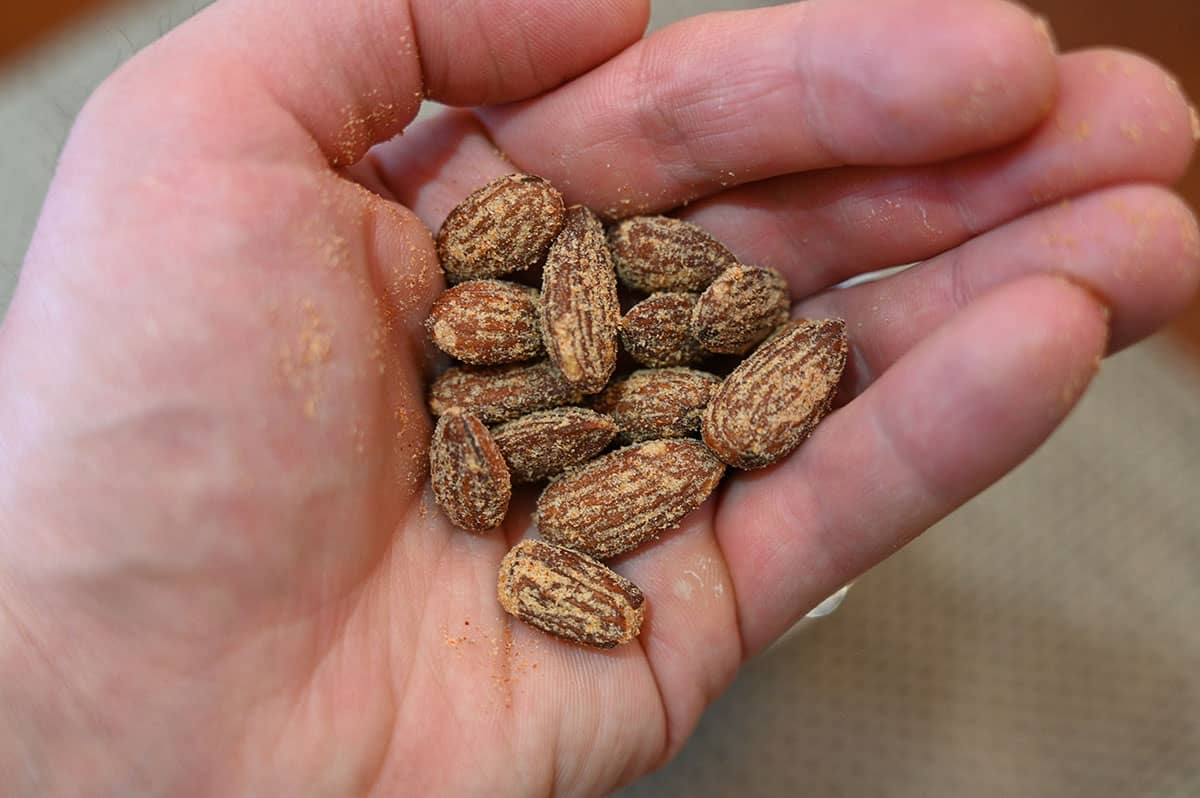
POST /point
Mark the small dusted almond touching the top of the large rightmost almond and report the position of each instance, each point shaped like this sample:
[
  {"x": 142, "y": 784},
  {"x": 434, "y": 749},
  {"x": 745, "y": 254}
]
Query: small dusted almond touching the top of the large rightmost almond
[{"x": 741, "y": 309}]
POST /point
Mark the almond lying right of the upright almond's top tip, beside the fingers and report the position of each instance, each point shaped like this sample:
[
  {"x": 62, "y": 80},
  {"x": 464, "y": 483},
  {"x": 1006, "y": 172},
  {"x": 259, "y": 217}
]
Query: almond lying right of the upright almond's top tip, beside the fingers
[{"x": 661, "y": 254}]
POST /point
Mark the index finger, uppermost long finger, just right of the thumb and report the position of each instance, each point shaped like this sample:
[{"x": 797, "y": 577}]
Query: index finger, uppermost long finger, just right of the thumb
[{"x": 736, "y": 98}]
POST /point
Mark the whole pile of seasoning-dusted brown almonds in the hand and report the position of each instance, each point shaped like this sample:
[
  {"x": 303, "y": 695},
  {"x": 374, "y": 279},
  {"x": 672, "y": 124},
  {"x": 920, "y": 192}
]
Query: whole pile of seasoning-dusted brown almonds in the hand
[{"x": 533, "y": 358}]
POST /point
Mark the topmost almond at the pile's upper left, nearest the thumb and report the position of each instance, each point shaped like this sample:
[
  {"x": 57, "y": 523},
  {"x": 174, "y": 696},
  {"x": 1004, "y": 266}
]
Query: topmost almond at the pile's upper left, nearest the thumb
[{"x": 506, "y": 226}]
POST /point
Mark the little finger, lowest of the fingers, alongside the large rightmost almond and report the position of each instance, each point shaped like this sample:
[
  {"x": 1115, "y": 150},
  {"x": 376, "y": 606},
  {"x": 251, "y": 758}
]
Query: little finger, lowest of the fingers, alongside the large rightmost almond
[{"x": 963, "y": 409}]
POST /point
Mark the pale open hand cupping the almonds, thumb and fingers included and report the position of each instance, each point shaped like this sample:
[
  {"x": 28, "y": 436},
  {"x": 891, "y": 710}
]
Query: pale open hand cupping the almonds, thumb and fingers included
[{"x": 221, "y": 572}]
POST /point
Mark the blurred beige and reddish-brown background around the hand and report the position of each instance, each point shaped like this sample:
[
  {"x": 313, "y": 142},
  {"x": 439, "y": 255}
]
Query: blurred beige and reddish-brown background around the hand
[{"x": 1042, "y": 641}]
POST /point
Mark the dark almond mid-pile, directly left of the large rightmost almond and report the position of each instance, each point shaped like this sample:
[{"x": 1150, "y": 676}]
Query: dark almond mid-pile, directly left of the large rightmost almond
[{"x": 658, "y": 403}]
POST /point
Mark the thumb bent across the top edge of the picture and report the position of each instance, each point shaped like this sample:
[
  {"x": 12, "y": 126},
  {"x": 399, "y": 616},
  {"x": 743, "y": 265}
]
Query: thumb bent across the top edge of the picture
[{"x": 349, "y": 74}]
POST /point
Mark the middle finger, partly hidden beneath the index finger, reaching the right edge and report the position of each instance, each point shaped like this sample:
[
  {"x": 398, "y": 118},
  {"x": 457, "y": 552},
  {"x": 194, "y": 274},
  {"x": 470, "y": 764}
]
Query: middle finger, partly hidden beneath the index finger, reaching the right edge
[{"x": 1119, "y": 119}]
